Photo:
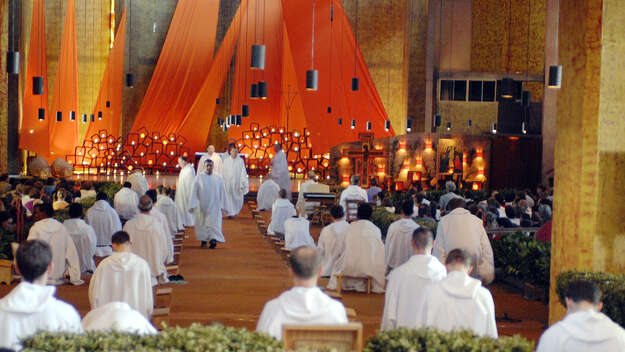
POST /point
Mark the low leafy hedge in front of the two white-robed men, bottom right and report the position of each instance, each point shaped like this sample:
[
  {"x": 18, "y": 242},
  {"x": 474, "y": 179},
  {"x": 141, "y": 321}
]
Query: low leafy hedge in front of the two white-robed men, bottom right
[{"x": 428, "y": 339}]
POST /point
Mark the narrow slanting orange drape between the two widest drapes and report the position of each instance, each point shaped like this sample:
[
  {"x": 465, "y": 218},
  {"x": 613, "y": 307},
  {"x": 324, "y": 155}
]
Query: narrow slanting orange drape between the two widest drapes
[{"x": 196, "y": 125}]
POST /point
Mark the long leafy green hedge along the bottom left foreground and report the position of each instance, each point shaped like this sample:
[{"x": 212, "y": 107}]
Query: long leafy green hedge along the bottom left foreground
[{"x": 194, "y": 338}]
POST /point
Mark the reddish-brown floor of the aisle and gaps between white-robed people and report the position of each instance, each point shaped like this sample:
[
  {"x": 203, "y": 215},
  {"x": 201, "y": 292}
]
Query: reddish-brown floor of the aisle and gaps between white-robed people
[{"x": 230, "y": 285}]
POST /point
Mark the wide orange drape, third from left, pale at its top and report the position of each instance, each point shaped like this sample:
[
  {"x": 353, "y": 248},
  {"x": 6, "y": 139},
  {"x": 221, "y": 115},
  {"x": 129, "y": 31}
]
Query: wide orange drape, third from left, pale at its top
[{"x": 182, "y": 66}]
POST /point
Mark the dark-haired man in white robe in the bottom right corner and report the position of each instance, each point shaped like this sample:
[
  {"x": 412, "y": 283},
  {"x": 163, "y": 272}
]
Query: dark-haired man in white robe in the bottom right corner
[{"x": 584, "y": 328}]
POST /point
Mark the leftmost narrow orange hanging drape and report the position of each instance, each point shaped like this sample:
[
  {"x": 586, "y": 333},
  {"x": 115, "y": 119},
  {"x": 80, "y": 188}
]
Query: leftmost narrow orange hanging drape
[{"x": 33, "y": 134}]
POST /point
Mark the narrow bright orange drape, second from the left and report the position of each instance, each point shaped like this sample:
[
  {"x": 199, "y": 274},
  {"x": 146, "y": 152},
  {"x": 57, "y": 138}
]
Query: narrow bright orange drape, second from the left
[{"x": 64, "y": 134}]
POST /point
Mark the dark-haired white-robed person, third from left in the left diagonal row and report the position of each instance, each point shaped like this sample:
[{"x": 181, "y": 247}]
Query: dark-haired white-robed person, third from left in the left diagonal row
[{"x": 105, "y": 221}]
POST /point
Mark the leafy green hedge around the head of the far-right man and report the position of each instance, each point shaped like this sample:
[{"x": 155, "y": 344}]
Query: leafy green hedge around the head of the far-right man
[{"x": 612, "y": 291}]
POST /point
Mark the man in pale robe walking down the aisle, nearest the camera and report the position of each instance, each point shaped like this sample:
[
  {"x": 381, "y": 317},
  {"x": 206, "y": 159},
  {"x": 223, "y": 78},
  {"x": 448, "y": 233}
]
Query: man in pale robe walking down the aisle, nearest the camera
[{"x": 207, "y": 202}]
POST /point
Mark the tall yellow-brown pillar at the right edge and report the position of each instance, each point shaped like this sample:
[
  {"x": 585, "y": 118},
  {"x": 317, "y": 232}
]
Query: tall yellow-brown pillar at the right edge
[{"x": 588, "y": 226}]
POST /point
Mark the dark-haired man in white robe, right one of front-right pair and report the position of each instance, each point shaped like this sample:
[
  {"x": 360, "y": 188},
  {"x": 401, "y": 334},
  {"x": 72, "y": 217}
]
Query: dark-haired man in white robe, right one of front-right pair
[{"x": 459, "y": 302}]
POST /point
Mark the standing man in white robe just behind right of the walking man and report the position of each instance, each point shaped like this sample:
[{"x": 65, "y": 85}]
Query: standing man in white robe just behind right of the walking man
[{"x": 235, "y": 181}]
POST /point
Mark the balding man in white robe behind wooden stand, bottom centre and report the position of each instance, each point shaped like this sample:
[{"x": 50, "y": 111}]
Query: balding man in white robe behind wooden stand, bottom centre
[{"x": 305, "y": 303}]
